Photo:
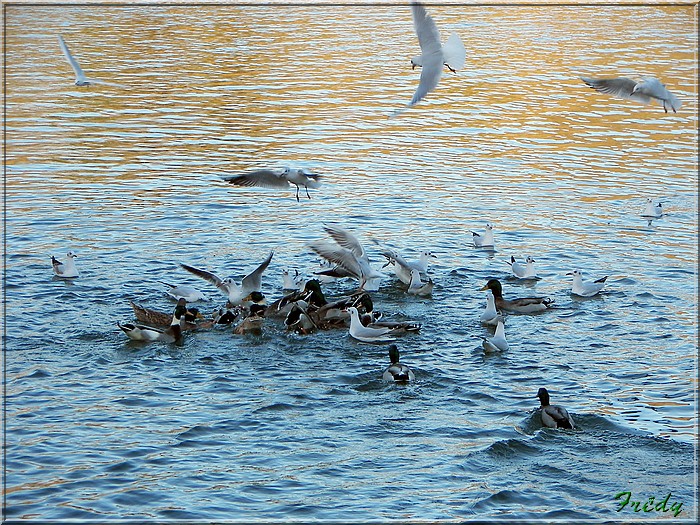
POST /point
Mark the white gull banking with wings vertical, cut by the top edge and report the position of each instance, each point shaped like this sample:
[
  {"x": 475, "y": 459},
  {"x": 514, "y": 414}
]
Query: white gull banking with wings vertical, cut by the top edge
[{"x": 433, "y": 54}]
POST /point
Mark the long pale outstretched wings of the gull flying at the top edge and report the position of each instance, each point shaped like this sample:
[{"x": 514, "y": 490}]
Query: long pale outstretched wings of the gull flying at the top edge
[{"x": 432, "y": 58}]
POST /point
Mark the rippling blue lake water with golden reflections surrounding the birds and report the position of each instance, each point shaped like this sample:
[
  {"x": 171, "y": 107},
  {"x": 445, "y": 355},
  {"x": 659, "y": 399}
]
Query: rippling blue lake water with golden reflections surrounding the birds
[{"x": 284, "y": 427}]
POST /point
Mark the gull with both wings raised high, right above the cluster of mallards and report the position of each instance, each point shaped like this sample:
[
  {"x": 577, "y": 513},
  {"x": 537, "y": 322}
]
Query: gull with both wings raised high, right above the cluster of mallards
[{"x": 351, "y": 256}]
